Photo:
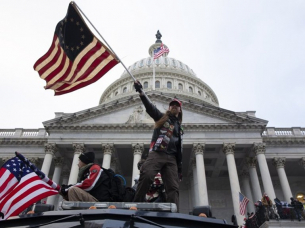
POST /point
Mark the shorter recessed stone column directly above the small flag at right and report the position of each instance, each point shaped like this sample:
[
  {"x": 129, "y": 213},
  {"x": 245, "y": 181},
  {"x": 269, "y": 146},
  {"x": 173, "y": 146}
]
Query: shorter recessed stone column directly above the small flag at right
[{"x": 256, "y": 188}]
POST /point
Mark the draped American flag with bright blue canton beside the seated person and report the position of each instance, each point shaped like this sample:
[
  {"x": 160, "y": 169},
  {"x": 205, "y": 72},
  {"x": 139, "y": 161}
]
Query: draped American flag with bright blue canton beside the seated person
[{"x": 21, "y": 185}]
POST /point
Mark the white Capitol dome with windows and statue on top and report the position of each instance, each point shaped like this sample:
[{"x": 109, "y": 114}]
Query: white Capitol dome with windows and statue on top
[{"x": 172, "y": 77}]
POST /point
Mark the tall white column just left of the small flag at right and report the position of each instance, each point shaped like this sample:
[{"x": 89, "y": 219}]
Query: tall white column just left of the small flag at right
[{"x": 228, "y": 149}]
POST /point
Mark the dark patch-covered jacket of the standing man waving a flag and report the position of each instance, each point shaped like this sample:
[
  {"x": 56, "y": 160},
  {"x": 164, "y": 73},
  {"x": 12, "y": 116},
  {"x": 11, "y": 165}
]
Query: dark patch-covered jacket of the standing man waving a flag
[{"x": 174, "y": 145}]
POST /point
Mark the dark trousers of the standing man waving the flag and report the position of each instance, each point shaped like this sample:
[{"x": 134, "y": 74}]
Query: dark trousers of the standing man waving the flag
[{"x": 167, "y": 166}]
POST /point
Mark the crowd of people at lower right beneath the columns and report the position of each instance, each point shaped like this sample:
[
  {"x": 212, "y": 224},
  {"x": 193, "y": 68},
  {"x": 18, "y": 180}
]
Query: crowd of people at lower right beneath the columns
[{"x": 265, "y": 210}]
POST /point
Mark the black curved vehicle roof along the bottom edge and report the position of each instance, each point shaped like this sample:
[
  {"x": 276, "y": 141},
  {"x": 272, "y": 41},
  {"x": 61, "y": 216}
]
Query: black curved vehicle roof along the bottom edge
[{"x": 113, "y": 218}]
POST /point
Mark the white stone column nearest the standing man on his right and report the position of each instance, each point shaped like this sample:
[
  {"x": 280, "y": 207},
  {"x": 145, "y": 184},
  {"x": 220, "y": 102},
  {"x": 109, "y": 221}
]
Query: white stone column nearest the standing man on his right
[{"x": 198, "y": 150}]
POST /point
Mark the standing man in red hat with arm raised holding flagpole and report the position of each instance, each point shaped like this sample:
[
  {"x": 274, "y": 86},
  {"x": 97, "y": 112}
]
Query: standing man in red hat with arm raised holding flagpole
[{"x": 165, "y": 153}]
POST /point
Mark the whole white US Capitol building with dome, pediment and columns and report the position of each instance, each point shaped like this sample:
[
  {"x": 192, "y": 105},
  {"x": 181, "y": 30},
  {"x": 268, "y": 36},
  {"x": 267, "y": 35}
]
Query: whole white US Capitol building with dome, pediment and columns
[{"x": 224, "y": 152}]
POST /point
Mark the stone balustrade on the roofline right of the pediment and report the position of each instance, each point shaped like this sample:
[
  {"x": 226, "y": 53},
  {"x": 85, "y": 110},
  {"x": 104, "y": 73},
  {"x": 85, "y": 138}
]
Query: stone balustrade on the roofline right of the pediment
[{"x": 284, "y": 132}]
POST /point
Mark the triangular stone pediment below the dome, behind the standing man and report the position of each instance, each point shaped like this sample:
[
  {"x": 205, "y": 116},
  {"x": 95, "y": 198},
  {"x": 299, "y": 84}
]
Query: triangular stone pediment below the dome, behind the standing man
[{"x": 131, "y": 111}]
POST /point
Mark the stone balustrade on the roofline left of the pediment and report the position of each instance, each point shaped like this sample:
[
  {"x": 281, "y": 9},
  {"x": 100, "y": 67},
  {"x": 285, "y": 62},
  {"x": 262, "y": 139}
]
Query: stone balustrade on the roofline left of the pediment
[{"x": 20, "y": 132}]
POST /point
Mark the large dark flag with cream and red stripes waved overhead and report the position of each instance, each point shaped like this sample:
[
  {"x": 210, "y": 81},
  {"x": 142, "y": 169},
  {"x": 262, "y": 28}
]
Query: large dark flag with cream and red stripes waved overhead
[{"x": 76, "y": 57}]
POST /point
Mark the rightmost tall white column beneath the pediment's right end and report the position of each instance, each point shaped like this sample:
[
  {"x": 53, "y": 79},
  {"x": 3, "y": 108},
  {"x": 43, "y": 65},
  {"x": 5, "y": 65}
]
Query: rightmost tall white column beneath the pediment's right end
[{"x": 260, "y": 150}]
